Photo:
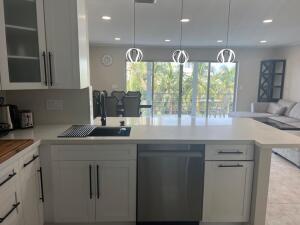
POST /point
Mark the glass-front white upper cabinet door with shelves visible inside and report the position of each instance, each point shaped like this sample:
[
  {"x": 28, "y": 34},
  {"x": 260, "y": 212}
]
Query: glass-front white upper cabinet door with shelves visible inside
[{"x": 23, "y": 45}]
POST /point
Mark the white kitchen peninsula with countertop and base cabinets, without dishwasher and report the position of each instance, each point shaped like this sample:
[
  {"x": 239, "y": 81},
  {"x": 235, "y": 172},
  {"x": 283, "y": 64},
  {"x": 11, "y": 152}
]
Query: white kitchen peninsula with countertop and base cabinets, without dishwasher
[{"x": 244, "y": 143}]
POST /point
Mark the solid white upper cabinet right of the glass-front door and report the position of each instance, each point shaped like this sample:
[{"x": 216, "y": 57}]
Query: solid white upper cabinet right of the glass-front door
[{"x": 65, "y": 54}]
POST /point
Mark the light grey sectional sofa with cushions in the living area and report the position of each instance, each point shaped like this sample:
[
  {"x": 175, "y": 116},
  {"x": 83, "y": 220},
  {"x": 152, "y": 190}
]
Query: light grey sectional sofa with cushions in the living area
[{"x": 284, "y": 111}]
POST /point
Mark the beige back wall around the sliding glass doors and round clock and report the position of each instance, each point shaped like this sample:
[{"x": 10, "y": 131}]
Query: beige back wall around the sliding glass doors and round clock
[{"x": 114, "y": 76}]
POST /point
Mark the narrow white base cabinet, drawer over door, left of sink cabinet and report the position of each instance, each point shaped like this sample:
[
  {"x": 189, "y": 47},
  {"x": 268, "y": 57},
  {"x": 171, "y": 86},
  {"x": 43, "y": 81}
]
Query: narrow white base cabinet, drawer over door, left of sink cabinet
[{"x": 30, "y": 191}]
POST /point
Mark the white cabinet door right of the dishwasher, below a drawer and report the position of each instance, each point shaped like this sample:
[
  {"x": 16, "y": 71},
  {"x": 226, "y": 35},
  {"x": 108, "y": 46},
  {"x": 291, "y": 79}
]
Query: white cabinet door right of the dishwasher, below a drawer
[{"x": 227, "y": 191}]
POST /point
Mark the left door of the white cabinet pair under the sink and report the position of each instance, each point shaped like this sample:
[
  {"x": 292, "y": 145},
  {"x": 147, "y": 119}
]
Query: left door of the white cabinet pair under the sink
[{"x": 73, "y": 193}]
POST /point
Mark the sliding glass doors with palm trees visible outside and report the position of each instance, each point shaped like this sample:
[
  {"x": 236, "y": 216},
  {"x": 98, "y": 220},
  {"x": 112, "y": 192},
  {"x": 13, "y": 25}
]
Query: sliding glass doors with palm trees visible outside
[{"x": 204, "y": 89}]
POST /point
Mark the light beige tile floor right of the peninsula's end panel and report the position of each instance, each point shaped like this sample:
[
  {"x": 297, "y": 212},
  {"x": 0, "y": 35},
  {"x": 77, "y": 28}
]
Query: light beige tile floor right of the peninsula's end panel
[{"x": 284, "y": 193}]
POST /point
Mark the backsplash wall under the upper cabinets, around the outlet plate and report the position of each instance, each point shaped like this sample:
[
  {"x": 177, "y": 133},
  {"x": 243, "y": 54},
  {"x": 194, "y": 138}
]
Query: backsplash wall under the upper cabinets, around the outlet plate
[{"x": 76, "y": 105}]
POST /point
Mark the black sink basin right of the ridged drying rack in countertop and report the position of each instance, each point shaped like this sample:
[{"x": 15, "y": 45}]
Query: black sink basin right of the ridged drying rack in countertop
[{"x": 110, "y": 131}]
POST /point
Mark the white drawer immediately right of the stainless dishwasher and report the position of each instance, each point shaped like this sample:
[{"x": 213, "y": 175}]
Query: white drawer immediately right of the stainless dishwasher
[{"x": 229, "y": 152}]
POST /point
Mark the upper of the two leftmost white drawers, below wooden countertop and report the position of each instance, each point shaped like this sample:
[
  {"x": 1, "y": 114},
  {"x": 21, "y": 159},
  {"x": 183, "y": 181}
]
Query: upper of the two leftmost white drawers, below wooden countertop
[{"x": 8, "y": 178}]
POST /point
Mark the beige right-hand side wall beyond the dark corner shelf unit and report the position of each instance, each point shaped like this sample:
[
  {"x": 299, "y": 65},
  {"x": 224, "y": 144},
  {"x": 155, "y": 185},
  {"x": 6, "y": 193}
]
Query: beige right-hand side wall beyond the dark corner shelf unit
[{"x": 292, "y": 72}]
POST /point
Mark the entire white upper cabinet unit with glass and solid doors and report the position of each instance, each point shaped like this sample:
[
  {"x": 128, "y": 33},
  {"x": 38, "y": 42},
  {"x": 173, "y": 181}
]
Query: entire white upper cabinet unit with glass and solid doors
[{"x": 44, "y": 44}]
